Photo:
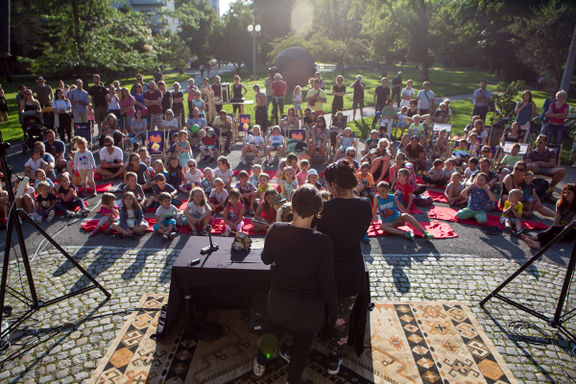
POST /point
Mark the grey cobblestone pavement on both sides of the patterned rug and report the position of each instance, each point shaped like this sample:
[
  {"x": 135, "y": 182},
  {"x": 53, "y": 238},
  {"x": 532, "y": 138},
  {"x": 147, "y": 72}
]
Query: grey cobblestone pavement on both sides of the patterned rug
[{"x": 63, "y": 343}]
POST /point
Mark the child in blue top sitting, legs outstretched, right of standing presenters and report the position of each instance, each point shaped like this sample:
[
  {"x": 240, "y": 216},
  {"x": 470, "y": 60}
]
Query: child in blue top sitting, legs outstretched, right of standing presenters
[{"x": 393, "y": 214}]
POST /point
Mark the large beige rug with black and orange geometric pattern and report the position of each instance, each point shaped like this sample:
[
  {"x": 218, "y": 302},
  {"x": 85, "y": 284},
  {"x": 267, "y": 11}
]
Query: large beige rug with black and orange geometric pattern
[{"x": 410, "y": 342}]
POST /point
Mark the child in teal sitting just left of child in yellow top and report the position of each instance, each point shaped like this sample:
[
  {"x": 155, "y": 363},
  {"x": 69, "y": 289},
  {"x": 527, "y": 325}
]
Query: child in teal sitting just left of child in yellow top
[{"x": 479, "y": 196}]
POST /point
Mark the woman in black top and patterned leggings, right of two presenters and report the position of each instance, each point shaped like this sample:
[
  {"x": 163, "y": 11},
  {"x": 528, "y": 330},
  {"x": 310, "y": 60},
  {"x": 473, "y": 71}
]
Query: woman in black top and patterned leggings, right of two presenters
[{"x": 345, "y": 219}]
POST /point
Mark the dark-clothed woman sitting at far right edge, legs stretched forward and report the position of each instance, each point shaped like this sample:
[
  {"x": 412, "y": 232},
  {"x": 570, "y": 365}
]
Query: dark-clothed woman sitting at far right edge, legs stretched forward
[{"x": 565, "y": 215}]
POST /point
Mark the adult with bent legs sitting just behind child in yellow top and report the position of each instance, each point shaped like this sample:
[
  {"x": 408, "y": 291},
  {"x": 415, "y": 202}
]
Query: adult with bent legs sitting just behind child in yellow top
[{"x": 530, "y": 200}]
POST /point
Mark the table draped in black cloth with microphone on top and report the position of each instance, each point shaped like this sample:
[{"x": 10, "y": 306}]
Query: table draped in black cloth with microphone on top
[{"x": 224, "y": 279}]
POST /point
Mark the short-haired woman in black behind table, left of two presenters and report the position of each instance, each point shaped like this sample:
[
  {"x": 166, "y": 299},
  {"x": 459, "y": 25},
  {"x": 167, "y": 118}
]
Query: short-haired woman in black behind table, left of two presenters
[{"x": 303, "y": 291}]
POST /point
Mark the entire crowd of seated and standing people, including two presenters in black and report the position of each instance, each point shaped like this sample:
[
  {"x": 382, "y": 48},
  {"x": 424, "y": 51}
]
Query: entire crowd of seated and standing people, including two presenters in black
[{"x": 362, "y": 181}]
